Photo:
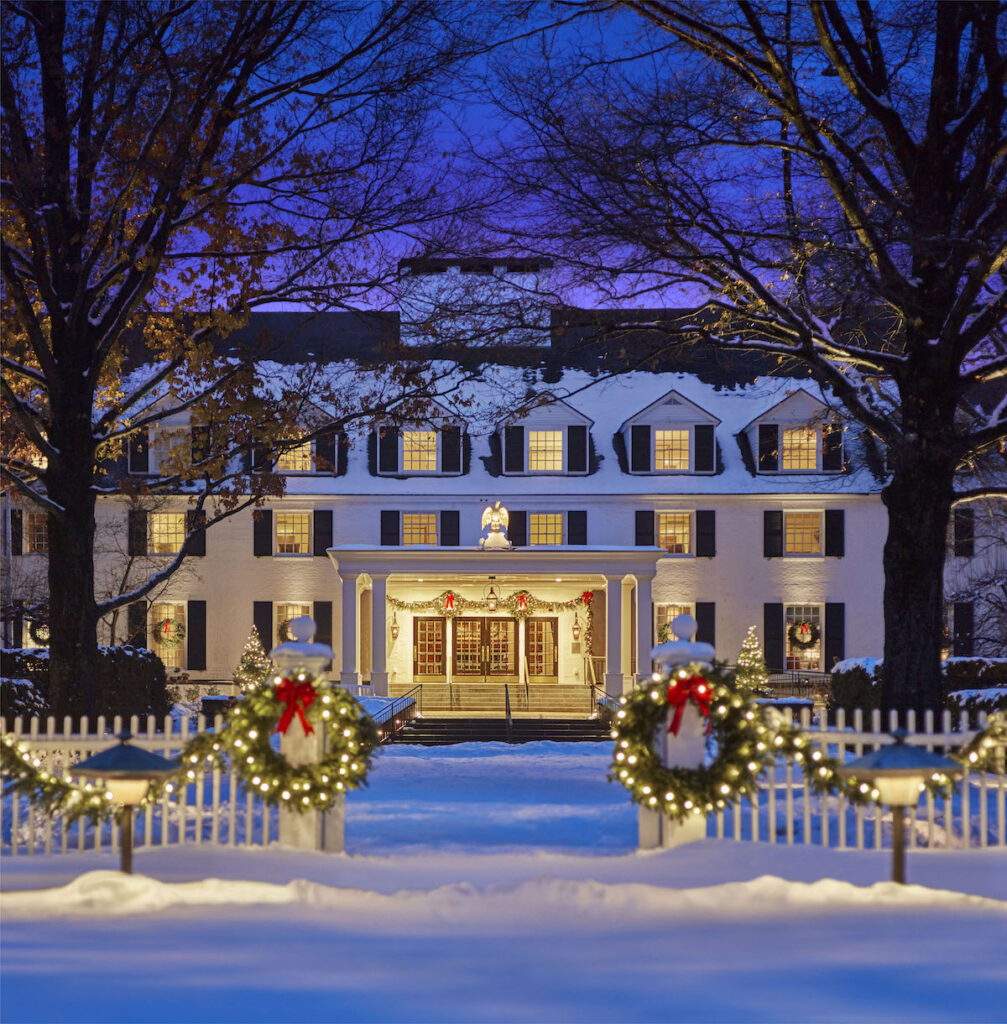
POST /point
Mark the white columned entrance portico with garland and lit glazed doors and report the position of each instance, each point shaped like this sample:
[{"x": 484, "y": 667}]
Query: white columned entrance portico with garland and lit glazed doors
[{"x": 401, "y": 628}]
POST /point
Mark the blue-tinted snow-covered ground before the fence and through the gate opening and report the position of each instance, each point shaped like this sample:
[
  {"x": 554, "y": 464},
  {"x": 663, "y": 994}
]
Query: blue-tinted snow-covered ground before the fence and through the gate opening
[{"x": 494, "y": 883}]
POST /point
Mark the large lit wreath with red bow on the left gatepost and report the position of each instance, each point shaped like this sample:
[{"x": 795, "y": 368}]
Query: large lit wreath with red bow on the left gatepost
[{"x": 295, "y": 702}]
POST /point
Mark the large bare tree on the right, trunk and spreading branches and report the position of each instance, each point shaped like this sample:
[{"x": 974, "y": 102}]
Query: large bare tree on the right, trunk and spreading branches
[{"x": 832, "y": 180}]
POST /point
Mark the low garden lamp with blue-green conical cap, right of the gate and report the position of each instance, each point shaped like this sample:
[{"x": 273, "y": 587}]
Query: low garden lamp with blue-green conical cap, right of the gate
[{"x": 898, "y": 773}]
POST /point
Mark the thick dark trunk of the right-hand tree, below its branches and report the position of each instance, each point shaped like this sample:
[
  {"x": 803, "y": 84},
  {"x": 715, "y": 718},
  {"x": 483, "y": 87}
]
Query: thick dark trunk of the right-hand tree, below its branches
[{"x": 919, "y": 500}]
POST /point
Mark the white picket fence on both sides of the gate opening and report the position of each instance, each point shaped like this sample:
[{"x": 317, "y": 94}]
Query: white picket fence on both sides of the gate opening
[{"x": 786, "y": 812}]
